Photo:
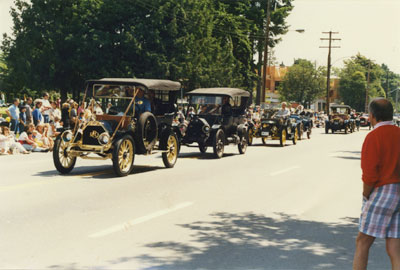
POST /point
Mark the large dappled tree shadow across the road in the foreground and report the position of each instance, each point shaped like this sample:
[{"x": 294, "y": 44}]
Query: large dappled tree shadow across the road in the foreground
[{"x": 253, "y": 241}]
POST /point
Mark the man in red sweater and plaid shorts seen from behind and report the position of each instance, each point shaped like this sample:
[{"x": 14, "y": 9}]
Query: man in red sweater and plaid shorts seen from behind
[{"x": 380, "y": 163}]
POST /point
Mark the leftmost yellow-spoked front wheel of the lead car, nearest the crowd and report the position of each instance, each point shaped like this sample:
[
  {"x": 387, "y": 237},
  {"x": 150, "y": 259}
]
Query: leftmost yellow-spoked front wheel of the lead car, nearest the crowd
[{"x": 63, "y": 161}]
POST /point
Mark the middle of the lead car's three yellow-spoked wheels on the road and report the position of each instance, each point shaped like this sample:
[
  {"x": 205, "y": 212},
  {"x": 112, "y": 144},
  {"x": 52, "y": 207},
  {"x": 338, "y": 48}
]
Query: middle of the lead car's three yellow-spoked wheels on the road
[{"x": 123, "y": 156}]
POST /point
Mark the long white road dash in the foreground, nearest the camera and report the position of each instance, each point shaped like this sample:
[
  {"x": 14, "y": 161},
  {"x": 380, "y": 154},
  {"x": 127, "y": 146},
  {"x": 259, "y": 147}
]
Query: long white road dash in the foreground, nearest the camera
[{"x": 131, "y": 223}]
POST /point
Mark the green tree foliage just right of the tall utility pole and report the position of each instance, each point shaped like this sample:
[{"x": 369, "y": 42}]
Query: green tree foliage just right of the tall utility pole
[{"x": 353, "y": 81}]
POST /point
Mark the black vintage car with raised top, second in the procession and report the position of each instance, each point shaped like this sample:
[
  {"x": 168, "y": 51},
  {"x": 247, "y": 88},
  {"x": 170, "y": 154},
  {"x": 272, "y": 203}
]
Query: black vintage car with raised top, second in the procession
[{"x": 216, "y": 117}]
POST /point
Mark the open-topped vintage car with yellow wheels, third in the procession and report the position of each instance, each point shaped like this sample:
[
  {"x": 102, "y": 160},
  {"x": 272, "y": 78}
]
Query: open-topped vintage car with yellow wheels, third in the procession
[{"x": 274, "y": 127}]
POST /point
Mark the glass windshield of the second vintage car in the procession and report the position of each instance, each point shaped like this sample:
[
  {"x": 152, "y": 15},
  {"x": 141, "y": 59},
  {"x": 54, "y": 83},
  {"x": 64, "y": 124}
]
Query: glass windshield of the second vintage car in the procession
[{"x": 202, "y": 104}]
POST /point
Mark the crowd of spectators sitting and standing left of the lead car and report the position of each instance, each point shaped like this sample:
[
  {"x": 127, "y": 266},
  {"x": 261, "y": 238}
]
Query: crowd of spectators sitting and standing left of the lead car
[{"x": 33, "y": 125}]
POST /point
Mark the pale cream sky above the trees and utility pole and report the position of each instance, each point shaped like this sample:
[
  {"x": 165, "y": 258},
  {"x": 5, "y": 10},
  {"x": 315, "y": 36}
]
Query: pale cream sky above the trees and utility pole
[{"x": 369, "y": 27}]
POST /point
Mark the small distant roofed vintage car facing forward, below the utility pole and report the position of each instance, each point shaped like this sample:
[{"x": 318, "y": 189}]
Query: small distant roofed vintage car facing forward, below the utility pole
[{"x": 339, "y": 119}]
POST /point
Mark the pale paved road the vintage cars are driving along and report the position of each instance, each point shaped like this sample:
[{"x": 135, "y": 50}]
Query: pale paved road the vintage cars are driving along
[{"x": 295, "y": 207}]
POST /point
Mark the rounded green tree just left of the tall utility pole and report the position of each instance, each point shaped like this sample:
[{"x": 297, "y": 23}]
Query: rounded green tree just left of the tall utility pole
[{"x": 302, "y": 83}]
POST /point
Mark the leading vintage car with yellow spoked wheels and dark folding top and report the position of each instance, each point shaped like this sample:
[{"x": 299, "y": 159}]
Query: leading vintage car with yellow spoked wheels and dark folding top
[{"x": 123, "y": 131}]
